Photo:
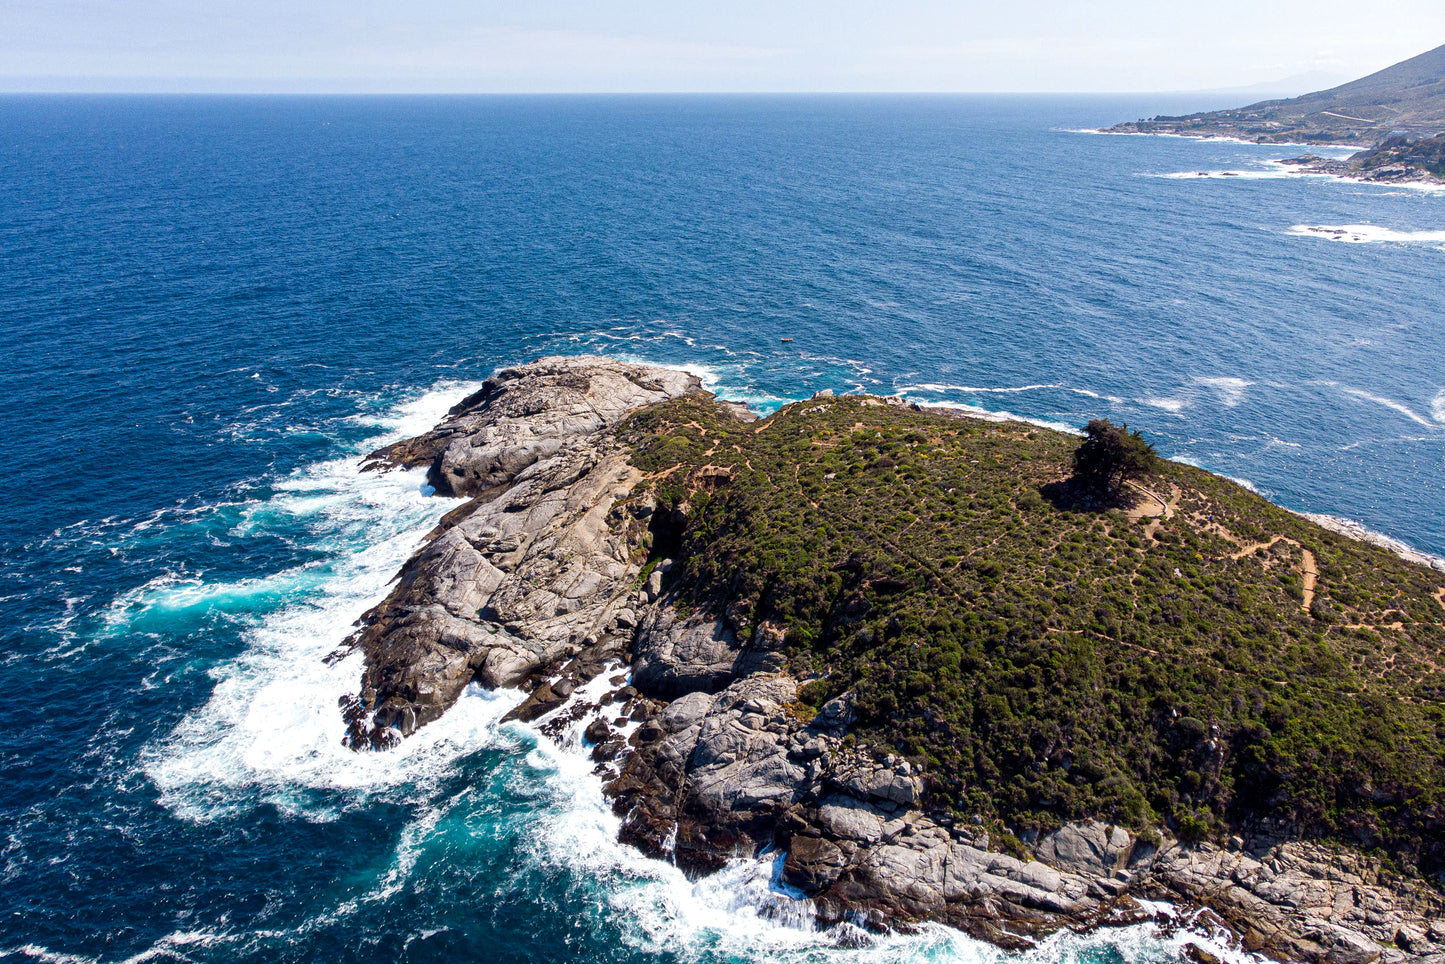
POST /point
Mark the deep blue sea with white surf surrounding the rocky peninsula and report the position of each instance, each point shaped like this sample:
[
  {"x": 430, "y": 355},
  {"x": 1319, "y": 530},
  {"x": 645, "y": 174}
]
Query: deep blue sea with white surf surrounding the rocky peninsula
[{"x": 212, "y": 307}]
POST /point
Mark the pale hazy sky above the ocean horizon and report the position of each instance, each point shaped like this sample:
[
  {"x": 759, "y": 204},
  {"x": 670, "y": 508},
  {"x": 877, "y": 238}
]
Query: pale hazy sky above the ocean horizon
[{"x": 676, "y": 46}]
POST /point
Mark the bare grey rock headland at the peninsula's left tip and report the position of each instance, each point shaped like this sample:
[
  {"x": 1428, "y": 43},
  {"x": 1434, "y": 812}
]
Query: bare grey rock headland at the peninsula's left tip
[{"x": 535, "y": 566}]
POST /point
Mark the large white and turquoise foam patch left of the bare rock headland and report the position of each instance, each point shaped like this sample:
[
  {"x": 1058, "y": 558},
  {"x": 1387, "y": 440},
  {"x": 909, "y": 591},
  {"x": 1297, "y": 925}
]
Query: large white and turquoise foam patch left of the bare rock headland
[{"x": 272, "y": 725}]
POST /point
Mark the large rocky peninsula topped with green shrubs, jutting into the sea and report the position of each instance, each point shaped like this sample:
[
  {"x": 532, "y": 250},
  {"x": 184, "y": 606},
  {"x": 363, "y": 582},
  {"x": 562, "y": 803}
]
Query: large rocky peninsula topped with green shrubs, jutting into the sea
[{"x": 898, "y": 647}]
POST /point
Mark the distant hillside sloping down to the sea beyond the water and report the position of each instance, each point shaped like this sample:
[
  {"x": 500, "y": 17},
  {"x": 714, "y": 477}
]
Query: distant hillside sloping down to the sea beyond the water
[{"x": 1408, "y": 98}]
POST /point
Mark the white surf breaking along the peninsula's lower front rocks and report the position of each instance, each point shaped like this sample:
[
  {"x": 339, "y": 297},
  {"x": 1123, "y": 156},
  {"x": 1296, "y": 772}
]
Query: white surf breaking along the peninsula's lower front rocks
[{"x": 745, "y": 913}]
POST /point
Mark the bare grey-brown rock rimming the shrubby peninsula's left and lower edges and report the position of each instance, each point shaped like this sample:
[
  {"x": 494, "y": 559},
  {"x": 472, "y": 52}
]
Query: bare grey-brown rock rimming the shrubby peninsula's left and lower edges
[{"x": 554, "y": 577}]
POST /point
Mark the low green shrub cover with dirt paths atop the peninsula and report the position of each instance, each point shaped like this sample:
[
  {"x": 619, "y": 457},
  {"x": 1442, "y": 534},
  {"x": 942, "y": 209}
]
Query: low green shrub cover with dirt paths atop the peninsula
[{"x": 1190, "y": 655}]
